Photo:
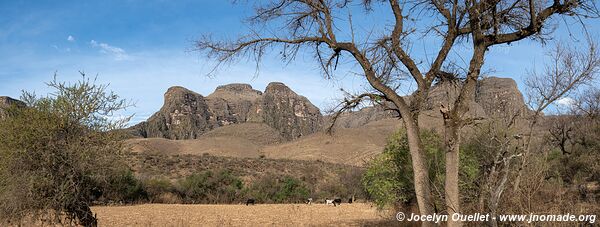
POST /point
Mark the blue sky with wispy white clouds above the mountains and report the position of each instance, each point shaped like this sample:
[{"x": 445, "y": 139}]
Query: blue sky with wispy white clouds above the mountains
[{"x": 143, "y": 47}]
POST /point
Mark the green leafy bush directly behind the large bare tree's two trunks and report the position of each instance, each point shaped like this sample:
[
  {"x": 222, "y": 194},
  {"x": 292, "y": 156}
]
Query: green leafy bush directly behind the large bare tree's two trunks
[{"x": 389, "y": 180}]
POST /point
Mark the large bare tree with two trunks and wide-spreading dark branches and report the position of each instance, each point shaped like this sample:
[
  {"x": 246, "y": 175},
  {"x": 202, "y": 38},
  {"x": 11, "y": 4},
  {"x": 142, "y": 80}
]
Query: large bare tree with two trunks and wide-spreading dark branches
[{"x": 294, "y": 26}]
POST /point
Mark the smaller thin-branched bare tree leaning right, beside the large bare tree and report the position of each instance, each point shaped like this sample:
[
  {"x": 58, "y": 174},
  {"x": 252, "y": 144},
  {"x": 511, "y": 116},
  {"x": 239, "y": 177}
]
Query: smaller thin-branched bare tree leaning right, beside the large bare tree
[{"x": 505, "y": 144}]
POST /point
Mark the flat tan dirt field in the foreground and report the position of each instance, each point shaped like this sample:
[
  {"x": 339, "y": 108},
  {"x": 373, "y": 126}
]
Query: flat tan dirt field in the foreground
[{"x": 357, "y": 214}]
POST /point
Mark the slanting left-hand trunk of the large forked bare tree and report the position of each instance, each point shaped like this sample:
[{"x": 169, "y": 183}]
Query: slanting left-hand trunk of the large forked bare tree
[{"x": 421, "y": 173}]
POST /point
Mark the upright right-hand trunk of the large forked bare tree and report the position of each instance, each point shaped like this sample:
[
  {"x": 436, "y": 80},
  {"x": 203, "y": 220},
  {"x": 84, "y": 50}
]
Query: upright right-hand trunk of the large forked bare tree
[{"x": 452, "y": 140}]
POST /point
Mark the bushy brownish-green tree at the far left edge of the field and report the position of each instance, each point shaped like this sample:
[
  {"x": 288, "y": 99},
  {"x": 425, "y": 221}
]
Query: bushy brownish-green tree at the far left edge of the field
[{"x": 58, "y": 152}]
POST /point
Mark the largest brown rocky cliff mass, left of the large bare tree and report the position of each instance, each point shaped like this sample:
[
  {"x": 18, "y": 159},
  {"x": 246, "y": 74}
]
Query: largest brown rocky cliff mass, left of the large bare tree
[{"x": 187, "y": 115}]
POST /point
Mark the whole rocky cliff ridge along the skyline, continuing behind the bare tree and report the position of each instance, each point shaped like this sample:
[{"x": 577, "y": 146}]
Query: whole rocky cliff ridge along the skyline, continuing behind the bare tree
[{"x": 187, "y": 115}]
